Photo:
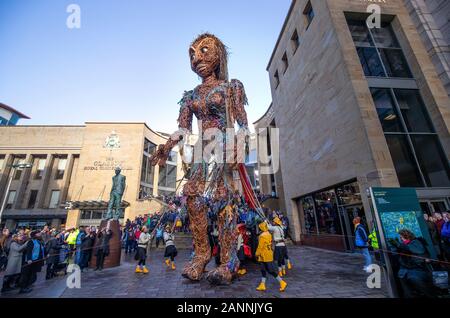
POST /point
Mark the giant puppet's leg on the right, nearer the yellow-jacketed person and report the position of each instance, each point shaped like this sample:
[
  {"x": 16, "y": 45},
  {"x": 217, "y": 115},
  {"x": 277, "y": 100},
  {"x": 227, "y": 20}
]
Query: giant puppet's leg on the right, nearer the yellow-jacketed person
[{"x": 229, "y": 262}]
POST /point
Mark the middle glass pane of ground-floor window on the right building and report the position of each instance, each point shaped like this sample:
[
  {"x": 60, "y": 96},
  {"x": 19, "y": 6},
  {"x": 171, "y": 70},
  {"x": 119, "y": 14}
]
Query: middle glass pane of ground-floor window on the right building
[{"x": 327, "y": 213}]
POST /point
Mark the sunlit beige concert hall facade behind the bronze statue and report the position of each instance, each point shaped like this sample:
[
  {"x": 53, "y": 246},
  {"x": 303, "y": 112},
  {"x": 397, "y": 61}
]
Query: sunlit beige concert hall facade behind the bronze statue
[{"x": 75, "y": 164}]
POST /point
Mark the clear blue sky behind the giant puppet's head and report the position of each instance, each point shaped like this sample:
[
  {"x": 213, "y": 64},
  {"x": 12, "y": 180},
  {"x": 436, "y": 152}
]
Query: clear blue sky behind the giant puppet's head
[{"x": 129, "y": 60}]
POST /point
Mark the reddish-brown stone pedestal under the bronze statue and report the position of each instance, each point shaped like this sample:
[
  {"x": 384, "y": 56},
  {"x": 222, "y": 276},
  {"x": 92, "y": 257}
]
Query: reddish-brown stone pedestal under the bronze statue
[{"x": 115, "y": 246}]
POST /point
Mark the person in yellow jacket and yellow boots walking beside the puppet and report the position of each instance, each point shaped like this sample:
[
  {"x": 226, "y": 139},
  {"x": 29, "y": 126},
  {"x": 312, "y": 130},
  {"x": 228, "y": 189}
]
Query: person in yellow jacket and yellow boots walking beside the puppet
[{"x": 264, "y": 255}]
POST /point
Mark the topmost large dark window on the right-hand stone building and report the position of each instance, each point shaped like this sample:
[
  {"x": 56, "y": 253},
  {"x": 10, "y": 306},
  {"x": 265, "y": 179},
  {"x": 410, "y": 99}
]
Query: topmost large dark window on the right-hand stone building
[{"x": 378, "y": 50}]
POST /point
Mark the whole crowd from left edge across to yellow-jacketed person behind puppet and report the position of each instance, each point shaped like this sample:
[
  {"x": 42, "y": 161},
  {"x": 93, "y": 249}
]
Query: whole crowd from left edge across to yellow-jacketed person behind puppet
[{"x": 24, "y": 252}]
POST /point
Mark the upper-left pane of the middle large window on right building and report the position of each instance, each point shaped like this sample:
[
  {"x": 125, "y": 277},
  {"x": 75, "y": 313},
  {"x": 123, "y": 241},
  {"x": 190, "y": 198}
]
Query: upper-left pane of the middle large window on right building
[{"x": 386, "y": 110}]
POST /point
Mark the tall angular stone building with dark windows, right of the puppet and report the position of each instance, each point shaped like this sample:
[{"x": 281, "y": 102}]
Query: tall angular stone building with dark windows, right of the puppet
[{"x": 355, "y": 107}]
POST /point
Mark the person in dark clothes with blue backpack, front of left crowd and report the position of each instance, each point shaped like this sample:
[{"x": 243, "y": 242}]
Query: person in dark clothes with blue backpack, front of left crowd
[{"x": 33, "y": 261}]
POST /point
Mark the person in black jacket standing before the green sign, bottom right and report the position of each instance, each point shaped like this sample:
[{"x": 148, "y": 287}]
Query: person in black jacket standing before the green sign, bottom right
[{"x": 414, "y": 276}]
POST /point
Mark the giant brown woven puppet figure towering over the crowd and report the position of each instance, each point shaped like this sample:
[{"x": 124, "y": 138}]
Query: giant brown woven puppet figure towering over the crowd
[{"x": 217, "y": 103}]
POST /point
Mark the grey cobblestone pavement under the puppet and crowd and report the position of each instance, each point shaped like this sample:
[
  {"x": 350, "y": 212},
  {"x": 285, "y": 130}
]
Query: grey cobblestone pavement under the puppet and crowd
[{"x": 316, "y": 273}]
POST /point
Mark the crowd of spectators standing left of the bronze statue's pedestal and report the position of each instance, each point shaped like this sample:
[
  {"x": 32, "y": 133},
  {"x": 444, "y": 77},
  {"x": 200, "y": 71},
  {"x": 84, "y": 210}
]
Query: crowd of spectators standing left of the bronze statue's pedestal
[{"x": 24, "y": 253}]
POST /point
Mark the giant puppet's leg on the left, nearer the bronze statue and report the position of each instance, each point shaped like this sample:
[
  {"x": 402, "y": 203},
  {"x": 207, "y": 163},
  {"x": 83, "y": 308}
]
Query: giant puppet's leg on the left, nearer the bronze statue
[{"x": 197, "y": 211}]
